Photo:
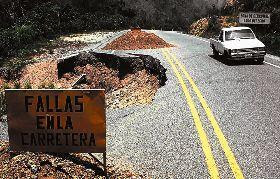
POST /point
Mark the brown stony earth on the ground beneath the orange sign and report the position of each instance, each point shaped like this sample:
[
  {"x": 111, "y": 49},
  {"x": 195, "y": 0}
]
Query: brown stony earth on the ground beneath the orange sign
[{"x": 51, "y": 166}]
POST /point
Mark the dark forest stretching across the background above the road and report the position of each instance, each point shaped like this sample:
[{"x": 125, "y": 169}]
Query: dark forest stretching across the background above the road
[{"x": 26, "y": 21}]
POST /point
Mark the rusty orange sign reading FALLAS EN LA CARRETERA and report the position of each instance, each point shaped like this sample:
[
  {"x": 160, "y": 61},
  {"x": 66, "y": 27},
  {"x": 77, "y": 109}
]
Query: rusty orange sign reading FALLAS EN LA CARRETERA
[{"x": 63, "y": 121}]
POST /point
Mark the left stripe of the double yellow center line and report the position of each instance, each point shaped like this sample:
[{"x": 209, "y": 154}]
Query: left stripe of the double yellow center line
[{"x": 211, "y": 164}]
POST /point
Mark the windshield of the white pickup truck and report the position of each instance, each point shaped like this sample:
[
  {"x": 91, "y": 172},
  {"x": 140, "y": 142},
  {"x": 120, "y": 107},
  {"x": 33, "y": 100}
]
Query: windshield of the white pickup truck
[{"x": 240, "y": 34}]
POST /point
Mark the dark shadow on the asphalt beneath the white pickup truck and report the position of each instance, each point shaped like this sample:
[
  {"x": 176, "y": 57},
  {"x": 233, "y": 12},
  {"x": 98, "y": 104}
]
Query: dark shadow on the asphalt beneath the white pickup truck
[{"x": 229, "y": 62}]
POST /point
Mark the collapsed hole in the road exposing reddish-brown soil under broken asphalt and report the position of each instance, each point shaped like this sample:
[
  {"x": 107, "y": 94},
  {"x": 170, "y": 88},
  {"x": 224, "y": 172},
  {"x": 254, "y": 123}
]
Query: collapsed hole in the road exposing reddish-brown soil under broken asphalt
[{"x": 126, "y": 80}]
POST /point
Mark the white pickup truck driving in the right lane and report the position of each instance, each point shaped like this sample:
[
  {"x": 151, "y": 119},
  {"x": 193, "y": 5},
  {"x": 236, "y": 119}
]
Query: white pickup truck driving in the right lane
[{"x": 238, "y": 43}]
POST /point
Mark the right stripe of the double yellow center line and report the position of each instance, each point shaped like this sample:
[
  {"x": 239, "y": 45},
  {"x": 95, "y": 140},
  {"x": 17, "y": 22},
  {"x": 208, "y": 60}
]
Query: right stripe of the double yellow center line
[{"x": 223, "y": 141}]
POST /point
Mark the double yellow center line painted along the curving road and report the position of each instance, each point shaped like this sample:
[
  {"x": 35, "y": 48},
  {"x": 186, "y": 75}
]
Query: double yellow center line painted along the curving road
[{"x": 210, "y": 161}]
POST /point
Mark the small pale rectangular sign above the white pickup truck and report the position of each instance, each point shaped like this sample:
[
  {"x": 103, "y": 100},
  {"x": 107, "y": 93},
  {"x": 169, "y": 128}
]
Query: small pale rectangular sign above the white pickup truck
[{"x": 254, "y": 18}]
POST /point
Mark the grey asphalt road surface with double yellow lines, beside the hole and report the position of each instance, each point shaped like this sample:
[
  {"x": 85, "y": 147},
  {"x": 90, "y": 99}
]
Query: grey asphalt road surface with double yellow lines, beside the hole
[{"x": 212, "y": 118}]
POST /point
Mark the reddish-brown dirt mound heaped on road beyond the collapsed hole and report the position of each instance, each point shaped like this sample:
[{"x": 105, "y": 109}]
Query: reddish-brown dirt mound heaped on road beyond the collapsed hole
[{"x": 137, "y": 39}]
